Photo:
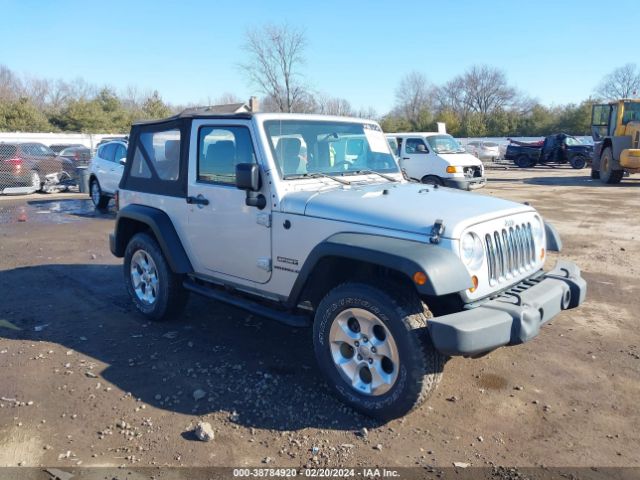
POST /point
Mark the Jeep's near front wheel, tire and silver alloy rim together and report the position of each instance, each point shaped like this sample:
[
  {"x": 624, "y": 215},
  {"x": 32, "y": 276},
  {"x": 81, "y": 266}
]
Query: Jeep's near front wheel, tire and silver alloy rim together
[{"x": 374, "y": 350}]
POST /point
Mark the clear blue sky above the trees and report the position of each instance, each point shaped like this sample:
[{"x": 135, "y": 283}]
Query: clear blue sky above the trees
[{"x": 555, "y": 51}]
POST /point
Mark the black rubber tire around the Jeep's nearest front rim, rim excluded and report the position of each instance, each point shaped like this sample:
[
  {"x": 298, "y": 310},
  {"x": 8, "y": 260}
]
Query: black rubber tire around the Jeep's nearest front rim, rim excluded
[{"x": 405, "y": 317}]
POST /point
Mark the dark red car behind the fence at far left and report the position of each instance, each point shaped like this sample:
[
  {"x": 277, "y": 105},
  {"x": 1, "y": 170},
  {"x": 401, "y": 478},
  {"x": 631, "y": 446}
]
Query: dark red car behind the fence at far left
[{"x": 26, "y": 165}]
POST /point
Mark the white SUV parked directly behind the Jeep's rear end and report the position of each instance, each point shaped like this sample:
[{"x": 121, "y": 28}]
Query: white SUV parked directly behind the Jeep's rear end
[{"x": 105, "y": 171}]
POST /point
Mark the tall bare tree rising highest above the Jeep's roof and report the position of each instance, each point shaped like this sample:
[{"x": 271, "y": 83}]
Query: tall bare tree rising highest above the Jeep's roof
[{"x": 276, "y": 53}]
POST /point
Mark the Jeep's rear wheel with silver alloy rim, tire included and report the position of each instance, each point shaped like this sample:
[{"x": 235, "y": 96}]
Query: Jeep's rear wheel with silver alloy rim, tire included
[{"x": 156, "y": 291}]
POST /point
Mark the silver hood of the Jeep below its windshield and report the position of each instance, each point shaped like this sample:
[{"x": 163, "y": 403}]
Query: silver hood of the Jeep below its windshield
[{"x": 410, "y": 207}]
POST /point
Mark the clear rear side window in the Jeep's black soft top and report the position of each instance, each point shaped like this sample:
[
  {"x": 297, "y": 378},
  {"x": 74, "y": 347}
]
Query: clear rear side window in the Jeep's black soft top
[{"x": 163, "y": 150}]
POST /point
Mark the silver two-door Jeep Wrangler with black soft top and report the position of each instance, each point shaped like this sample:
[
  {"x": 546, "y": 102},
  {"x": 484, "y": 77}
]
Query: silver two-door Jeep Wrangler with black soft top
[{"x": 308, "y": 220}]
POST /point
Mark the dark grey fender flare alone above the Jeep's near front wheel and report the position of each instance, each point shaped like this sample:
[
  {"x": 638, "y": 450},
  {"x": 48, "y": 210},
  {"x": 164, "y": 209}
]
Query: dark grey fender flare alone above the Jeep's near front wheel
[{"x": 445, "y": 271}]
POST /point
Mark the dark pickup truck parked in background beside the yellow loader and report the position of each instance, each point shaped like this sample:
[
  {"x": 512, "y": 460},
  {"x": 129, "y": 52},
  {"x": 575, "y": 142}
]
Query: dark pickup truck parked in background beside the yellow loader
[{"x": 558, "y": 148}]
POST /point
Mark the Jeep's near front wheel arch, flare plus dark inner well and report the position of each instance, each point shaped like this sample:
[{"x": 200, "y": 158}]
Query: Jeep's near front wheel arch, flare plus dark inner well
[{"x": 357, "y": 256}]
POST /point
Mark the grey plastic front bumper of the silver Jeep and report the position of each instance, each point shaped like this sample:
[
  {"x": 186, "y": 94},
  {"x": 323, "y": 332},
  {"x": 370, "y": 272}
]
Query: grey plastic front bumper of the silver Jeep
[{"x": 512, "y": 318}]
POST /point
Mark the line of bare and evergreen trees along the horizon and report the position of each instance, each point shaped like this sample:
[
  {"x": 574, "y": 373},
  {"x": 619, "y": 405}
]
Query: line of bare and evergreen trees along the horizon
[{"x": 478, "y": 102}]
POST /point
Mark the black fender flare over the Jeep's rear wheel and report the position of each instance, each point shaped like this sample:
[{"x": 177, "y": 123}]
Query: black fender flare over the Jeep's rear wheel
[{"x": 163, "y": 229}]
